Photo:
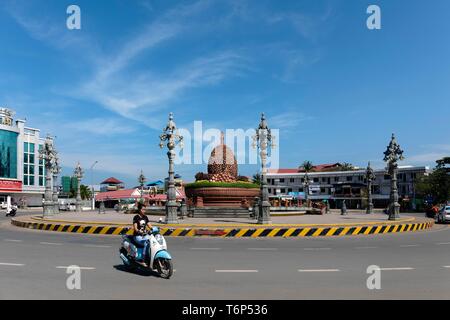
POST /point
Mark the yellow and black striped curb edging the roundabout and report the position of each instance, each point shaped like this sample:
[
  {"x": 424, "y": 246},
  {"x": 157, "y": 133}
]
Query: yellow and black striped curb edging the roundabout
[{"x": 267, "y": 232}]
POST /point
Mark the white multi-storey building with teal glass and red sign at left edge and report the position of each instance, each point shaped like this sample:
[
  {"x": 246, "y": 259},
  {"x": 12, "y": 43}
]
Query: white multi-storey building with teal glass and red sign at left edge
[{"x": 22, "y": 174}]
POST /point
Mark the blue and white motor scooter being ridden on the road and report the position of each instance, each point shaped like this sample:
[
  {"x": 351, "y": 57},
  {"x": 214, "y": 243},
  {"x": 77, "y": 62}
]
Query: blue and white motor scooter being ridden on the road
[{"x": 158, "y": 258}]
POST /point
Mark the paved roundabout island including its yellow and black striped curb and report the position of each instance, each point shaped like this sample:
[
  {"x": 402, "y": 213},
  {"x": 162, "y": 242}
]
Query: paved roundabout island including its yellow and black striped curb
[{"x": 283, "y": 227}]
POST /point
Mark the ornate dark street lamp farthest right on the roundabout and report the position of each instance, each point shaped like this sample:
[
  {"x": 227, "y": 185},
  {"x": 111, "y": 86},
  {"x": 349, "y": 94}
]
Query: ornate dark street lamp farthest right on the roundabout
[{"x": 393, "y": 154}]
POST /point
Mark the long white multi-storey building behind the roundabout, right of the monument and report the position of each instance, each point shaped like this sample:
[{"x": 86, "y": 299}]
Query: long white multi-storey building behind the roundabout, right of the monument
[{"x": 336, "y": 186}]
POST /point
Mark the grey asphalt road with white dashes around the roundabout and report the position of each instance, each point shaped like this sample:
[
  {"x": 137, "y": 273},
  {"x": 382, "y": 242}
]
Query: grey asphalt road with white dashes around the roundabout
[{"x": 414, "y": 266}]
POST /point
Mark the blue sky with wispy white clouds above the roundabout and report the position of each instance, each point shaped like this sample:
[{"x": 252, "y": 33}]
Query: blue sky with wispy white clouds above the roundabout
[{"x": 335, "y": 89}]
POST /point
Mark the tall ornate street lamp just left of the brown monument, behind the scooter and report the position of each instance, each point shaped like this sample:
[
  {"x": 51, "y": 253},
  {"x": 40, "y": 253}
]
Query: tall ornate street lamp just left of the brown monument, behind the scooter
[{"x": 171, "y": 135}]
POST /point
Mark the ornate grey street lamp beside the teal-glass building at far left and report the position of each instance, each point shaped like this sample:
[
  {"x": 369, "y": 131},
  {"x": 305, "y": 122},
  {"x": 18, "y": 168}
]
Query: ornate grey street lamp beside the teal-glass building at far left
[{"x": 48, "y": 154}]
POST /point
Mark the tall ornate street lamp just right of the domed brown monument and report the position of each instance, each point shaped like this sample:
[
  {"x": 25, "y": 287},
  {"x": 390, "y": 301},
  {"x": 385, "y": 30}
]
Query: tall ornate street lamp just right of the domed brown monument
[{"x": 263, "y": 139}]
